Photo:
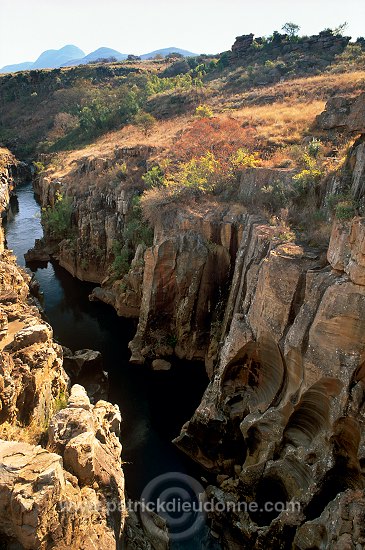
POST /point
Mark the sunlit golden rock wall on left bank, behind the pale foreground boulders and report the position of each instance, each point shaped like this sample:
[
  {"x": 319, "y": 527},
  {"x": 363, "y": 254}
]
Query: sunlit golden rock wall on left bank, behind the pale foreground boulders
[{"x": 31, "y": 373}]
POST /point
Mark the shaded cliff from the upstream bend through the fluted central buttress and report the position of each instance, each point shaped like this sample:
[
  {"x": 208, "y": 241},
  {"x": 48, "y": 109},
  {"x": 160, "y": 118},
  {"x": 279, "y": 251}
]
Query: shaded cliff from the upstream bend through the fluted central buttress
[{"x": 174, "y": 287}]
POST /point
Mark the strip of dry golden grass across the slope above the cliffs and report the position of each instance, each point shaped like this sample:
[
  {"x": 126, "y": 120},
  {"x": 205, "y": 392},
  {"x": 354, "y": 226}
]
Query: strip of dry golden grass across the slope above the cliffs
[{"x": 275, "y": 124}]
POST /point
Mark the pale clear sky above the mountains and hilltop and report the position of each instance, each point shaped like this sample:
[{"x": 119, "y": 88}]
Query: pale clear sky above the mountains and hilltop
[{"x": 32, "y": 26}]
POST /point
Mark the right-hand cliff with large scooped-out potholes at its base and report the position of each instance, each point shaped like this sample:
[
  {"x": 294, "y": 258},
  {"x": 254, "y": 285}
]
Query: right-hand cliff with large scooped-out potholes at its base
[{"x": 283, "y": 417}]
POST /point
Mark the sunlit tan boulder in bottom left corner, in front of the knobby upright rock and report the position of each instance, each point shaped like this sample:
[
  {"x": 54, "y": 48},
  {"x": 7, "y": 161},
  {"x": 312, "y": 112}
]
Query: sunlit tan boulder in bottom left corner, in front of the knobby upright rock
[{"x": 42, "y": 506}]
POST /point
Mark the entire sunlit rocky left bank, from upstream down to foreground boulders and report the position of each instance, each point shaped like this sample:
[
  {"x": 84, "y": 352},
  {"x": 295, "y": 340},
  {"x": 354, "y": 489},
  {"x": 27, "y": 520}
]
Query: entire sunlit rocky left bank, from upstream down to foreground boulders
[{"x": 61, "y": 481}]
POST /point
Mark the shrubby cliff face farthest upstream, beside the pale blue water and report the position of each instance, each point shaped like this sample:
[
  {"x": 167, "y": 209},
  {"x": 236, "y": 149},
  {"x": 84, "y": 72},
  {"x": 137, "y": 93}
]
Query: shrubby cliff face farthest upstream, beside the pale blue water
[{"x": 101, "y": 200}]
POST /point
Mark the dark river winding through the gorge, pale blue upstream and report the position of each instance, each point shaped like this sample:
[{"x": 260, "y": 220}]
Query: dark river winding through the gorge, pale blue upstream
[{"x": 154, "y": 405}]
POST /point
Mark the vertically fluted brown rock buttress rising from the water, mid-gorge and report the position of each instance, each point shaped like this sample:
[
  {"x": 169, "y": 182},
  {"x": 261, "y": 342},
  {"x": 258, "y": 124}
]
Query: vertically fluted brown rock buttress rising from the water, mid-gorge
[{"x": 185, "y": 281}]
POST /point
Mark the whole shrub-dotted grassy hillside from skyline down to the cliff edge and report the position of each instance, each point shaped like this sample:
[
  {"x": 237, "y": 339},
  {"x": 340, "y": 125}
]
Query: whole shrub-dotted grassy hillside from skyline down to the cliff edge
[{"x": 201, "y": 123}]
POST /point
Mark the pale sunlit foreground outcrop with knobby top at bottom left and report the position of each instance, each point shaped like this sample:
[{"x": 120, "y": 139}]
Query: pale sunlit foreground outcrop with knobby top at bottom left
[{"x": 71, "y": 496}]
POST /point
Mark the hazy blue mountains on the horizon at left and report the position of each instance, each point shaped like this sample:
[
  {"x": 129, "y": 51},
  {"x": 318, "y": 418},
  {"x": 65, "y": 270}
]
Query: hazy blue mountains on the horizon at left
[{"x": 70, "y": 55}]
